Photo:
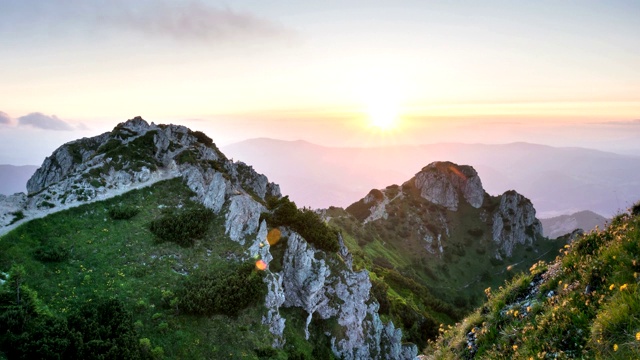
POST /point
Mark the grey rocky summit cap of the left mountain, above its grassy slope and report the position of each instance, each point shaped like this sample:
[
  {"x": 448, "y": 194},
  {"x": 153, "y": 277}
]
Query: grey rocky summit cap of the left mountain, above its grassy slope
[{"x": 137, "y": 154}]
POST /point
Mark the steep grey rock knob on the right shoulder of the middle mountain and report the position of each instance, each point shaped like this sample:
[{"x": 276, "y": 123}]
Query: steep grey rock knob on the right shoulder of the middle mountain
[{"x": 514, "y": 222}]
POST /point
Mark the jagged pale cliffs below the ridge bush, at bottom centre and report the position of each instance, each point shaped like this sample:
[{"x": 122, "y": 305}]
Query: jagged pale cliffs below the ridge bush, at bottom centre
[{"x": 321, "y": 285}]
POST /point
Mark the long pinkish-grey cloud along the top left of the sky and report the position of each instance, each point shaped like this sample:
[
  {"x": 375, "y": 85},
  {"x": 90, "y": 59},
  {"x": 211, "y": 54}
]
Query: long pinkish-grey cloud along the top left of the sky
[{"x": 179, "y": 20}]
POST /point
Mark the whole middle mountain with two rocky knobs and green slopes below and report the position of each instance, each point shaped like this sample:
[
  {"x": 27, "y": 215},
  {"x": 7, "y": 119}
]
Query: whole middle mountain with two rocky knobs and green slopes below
[{"x": 440, "y": 235}]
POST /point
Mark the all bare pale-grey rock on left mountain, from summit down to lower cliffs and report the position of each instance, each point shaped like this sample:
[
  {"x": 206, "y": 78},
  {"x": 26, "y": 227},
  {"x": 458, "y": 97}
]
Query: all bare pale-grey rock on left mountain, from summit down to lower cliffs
[{"x": 137, "y": 154}]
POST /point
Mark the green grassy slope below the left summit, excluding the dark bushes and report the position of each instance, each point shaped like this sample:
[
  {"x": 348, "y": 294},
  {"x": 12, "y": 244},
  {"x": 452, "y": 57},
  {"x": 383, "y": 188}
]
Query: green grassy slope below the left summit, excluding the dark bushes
[{"x": 121, "y": 259}]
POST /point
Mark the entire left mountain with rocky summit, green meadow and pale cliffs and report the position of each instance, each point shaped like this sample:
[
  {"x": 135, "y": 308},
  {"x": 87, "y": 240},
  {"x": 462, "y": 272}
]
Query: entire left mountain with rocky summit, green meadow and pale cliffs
[{"x": 200, "y": 255}]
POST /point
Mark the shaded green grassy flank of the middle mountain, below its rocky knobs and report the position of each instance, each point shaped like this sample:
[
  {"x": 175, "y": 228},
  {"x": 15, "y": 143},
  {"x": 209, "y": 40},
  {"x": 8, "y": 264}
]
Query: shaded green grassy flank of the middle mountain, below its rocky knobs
[{"x": 423, "y": 281}]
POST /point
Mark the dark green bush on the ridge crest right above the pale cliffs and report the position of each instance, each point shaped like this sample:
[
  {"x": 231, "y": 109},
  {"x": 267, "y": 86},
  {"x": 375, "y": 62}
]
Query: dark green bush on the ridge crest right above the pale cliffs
[{"x": 305, "y": 222}]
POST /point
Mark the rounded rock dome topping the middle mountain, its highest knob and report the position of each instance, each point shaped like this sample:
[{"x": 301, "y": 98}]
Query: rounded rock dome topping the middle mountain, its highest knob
[{"x": 445, "y": 183}]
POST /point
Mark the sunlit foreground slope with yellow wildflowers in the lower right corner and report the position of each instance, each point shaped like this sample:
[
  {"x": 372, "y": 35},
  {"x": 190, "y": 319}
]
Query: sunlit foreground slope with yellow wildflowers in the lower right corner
[{"x": 586, "y": 304}]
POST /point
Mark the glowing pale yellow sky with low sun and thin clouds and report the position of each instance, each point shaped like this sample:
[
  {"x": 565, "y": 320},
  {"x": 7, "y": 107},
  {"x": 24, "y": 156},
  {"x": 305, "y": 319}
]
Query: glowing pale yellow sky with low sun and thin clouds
[{"x": 336, "y": 73}]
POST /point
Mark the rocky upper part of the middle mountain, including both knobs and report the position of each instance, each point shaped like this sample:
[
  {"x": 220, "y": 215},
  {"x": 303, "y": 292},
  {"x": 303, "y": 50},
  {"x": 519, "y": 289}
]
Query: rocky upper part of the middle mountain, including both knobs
[{"x": 444, "y": 188}]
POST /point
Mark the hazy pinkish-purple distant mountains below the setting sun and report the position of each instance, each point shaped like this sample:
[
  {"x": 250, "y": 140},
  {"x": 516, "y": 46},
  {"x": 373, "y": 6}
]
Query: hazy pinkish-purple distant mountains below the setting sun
[{"x": 558, "y": 180}]
